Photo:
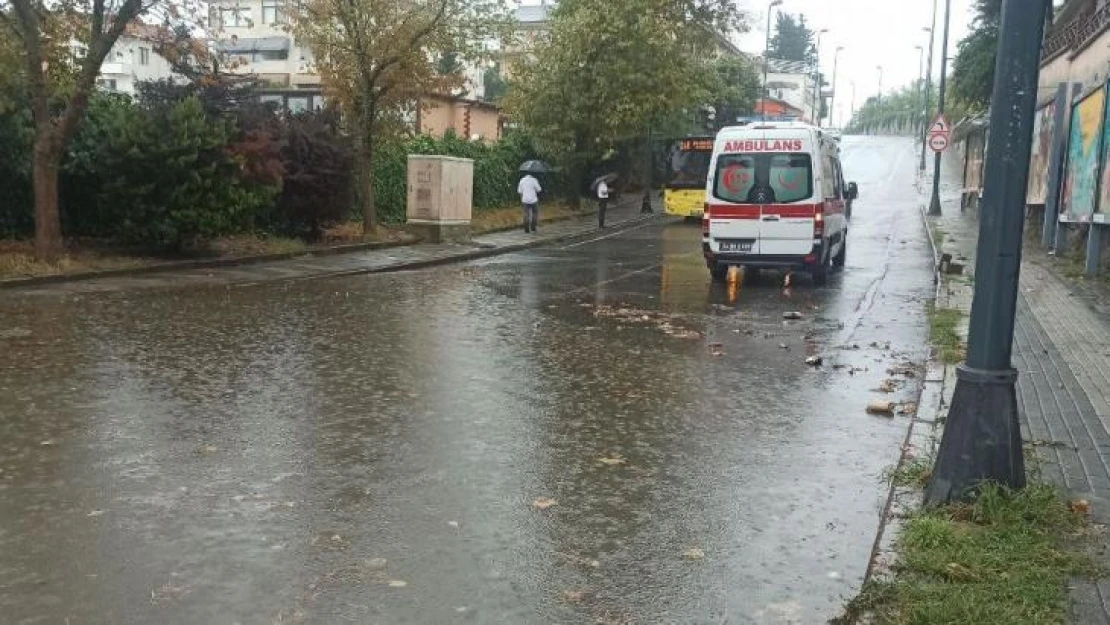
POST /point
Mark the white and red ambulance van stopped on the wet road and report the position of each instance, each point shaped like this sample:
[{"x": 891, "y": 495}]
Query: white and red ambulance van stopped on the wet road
[{"x": 776, "y": 199}]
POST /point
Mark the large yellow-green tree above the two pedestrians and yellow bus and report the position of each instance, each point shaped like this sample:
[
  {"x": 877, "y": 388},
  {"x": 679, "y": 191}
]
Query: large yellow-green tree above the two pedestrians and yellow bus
[{"x": 609, "y": 70}]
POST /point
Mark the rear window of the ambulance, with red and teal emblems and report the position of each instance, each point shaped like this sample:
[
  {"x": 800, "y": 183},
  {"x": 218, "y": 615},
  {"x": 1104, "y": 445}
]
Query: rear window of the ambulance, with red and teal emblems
[{"x": 764, "y": 178}]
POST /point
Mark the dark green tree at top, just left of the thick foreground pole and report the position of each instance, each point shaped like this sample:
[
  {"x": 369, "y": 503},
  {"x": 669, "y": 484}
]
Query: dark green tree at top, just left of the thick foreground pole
[{"x": 974, "y": 68}]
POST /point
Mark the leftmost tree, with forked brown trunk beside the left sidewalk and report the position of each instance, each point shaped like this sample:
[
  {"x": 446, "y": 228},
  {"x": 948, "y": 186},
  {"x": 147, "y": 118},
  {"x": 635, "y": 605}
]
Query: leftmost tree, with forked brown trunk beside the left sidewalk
[{"x": 60, "y": 86}]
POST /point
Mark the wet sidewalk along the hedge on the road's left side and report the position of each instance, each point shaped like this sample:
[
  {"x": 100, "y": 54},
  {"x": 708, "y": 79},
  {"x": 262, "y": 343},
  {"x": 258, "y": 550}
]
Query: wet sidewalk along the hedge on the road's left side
[{"x": 623, "y": 216}]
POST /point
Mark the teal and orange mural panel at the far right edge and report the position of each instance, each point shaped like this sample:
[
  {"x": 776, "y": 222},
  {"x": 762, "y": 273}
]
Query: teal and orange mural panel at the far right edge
[{"x": 1085, "y": 146}]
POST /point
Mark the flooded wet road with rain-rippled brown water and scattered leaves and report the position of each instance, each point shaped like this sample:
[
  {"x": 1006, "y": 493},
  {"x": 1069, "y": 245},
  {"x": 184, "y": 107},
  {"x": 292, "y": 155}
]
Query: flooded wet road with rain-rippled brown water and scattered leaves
[{"x": 583, "y": 435}]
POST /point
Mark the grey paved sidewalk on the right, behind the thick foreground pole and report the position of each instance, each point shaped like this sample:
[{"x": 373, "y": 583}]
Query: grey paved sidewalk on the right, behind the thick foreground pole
[{"x": 1062, "y": 351}]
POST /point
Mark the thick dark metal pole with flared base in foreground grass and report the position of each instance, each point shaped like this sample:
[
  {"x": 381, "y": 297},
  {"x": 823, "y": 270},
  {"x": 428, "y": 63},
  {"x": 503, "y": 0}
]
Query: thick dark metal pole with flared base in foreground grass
[{"x": 983, "y": 437}]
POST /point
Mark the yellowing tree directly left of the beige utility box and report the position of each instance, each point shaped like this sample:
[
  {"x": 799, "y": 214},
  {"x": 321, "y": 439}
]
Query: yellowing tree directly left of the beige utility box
[{"x": 378, "y": 57}]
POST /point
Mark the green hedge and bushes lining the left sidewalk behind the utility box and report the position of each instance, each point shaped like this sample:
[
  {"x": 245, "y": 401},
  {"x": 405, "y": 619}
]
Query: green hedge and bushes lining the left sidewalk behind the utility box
[{"x": 177, "y": 168}]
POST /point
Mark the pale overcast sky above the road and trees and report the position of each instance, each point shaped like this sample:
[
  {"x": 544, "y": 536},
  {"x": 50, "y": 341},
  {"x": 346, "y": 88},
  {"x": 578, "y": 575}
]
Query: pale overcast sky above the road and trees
[{"x": 873, "y": 33}]
